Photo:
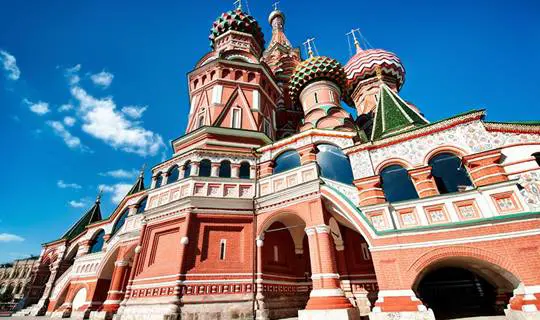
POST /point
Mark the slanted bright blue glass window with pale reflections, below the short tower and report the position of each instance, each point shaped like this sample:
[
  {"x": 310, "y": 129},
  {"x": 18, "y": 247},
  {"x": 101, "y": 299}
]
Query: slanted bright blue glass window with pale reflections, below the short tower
[{"x": 334, "y": 164}]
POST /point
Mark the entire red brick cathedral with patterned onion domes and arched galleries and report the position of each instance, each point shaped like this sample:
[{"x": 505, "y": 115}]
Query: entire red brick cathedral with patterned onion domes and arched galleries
[{"x": 278, "y": 203}]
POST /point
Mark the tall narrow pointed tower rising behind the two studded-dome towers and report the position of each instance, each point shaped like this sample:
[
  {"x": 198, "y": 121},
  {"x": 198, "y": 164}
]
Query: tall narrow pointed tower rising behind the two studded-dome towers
[{"x": 282, "y": 59}]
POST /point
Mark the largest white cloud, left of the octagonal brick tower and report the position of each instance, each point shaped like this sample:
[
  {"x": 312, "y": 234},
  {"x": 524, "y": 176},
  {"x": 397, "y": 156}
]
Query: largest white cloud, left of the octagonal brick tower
[{"x": 101, "y": 120}]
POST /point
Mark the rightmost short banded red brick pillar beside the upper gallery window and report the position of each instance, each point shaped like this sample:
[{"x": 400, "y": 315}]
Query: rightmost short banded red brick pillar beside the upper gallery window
[{"x": 484, "y": 167}]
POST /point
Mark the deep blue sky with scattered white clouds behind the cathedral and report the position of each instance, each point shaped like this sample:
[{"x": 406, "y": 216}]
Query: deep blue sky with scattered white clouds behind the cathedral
[{"x": 91, "y": 90}]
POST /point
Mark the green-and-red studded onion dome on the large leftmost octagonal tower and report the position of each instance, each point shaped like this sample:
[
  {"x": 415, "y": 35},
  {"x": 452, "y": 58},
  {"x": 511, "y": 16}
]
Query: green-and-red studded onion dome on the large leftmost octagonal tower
[{"x": 236, "y": 20}]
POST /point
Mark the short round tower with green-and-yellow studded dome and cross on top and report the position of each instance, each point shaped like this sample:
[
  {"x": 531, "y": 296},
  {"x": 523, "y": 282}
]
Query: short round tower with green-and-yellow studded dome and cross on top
[{"x": 320, "y": 84}]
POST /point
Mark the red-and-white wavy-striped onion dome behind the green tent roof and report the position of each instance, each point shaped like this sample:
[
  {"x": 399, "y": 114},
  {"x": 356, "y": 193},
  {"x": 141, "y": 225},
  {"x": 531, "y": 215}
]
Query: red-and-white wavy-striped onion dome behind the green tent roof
[{"x": 364, "y": 63}]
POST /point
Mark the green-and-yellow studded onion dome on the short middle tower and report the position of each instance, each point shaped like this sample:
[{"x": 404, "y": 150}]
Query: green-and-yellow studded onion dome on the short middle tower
[{"x": 318, "y": 68}]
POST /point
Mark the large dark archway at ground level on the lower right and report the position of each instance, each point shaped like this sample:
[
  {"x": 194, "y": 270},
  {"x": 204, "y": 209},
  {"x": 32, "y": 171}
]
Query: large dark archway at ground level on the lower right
[{"x": 459, "y": 288}]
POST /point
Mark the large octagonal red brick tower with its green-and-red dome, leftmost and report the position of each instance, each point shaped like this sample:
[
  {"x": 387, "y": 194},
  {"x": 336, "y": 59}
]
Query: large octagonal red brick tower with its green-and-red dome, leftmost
[{"x": 230, "y": 87}]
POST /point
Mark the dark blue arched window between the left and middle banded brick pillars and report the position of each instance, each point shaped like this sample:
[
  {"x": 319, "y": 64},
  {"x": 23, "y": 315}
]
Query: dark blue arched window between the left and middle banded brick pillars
[{"x": 397, "y": 184}]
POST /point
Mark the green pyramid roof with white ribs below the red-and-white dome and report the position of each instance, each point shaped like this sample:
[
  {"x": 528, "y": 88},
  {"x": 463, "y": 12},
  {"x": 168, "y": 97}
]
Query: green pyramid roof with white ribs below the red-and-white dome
[{"x": 393, "y": 114}]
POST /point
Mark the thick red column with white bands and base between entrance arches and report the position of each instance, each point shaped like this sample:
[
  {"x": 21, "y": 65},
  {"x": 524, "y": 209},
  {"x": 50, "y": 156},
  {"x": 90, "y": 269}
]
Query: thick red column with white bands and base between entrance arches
[{"x": 326, "y": 300}]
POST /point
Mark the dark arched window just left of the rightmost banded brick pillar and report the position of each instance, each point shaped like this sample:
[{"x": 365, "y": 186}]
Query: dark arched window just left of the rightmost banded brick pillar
[{"x": 448, "y": 173}]
